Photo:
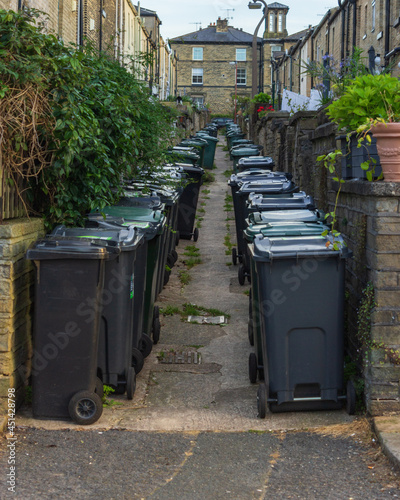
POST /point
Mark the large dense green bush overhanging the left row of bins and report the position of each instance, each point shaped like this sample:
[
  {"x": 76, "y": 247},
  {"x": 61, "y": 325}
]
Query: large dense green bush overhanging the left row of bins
[{"x": 76, "y": 121}]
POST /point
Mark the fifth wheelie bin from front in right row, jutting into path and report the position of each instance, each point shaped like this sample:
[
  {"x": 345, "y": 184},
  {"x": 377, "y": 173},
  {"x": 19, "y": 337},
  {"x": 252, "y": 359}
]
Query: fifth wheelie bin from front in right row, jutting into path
[{"x": 271, "y": 187}]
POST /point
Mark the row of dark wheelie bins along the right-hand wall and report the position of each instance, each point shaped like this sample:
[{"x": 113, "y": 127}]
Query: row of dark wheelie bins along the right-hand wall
[{"x": 295, "y": 267}]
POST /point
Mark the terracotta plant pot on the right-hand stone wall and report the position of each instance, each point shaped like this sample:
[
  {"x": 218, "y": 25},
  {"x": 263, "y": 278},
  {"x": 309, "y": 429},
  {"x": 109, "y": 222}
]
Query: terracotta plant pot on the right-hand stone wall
[{"x": 388, "y": 146}]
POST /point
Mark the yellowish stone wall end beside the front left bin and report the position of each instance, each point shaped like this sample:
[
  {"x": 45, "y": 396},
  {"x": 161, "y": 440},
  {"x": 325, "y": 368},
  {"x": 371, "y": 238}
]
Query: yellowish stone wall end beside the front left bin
[{"x": 16, "y": 280}]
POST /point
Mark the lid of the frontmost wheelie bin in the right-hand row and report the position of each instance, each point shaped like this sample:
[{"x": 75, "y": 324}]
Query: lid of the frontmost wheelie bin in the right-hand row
[{"x": 304, "y": 247}]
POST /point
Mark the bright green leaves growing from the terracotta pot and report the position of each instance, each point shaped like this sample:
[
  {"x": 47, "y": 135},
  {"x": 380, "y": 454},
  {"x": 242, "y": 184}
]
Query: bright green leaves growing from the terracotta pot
[{"x": 366, "y": 99}]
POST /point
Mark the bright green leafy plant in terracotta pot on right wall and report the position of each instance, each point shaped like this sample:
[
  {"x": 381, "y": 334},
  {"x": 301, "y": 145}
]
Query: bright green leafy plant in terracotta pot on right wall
[{"x": 371, "y": 104}]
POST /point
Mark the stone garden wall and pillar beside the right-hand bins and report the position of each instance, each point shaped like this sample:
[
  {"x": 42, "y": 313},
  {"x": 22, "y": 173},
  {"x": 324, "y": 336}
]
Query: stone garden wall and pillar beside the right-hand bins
[{"x": 369, "y": 220}]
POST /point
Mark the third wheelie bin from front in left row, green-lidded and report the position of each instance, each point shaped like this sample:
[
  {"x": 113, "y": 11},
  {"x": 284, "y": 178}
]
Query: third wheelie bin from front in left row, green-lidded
[{"x": 152, "y": 225}]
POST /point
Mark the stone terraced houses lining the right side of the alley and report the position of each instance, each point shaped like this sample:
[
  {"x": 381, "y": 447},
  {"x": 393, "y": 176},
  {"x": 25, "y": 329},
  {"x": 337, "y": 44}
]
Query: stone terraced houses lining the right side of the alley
[{"x": 371, "y": 25}]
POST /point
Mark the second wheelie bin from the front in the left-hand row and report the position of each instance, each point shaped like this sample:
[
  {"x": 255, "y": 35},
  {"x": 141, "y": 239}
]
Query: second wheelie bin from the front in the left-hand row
[{"x": 121, "y": 314}]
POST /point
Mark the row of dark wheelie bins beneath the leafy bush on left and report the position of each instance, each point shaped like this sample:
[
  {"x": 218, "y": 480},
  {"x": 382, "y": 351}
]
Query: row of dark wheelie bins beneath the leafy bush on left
[{"x": 95, "y": 315}]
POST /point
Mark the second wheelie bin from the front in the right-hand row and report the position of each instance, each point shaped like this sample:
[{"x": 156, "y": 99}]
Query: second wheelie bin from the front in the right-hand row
[{"x": 282, "y": 229}]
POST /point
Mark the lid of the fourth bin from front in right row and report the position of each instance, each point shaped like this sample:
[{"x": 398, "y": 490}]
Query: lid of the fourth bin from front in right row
[{"x": 260, "y": 202}]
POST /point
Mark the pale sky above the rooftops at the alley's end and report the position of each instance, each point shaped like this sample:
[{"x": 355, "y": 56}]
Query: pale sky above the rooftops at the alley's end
[{"x": 180, "y": 16}]
